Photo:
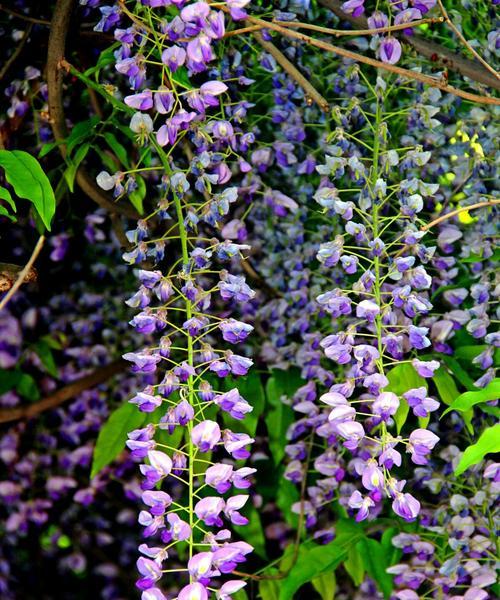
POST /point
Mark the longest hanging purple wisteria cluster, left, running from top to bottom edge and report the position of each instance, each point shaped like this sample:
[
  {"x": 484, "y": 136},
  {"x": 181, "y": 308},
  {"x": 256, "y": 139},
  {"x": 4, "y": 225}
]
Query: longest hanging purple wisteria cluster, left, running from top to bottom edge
[{"x": 183, "y": 304}]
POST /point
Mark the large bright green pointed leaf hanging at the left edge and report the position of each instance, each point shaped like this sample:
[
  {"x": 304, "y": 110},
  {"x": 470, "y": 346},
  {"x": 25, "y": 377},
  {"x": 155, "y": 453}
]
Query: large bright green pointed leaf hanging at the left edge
[{"x": 29, "y": 181}]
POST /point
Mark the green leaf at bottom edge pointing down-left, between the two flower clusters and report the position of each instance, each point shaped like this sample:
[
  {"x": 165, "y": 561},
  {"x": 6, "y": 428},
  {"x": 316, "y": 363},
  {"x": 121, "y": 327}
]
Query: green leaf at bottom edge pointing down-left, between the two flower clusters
[{"x": 313, "y": 560}]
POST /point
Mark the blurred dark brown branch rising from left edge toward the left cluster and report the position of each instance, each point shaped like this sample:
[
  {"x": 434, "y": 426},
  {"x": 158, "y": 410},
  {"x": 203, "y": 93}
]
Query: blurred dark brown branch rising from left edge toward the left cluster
[{"x": 66, "y": 393}]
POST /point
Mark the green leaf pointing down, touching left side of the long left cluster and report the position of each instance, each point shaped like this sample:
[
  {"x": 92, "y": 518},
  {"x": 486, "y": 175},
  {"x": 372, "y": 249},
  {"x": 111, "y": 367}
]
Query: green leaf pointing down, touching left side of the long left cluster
[{"x": 113, "y": 435}]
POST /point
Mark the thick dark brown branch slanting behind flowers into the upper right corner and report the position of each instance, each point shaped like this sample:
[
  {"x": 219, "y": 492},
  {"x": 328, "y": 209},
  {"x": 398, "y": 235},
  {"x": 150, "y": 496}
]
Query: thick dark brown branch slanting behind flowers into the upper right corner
[{"x": 438, "y": 54}]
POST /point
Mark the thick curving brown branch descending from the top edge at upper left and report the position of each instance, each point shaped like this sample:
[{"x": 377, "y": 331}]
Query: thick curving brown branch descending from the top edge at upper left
[{"x": 55, "y": 56}]
